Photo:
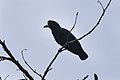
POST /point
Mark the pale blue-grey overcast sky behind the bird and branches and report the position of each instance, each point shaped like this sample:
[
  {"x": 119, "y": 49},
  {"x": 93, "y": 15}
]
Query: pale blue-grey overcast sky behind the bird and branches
[{"x": 21, "y": 25}]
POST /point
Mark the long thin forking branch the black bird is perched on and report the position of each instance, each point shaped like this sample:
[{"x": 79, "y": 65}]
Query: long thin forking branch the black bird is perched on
[{"x": 62, "y": 48}]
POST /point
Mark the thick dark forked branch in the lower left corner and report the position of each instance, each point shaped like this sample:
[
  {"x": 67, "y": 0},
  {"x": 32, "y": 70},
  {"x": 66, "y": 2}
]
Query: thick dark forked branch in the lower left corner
[{"x": 12, "y": 58}]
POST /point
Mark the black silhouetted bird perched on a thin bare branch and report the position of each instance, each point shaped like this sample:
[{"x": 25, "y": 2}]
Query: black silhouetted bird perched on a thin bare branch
[{"x": 62, "y": 35}]
